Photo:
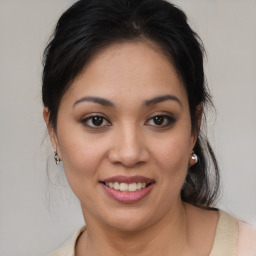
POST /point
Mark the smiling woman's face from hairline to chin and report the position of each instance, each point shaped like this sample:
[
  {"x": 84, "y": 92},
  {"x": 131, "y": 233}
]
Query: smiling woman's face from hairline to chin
[{"x": 122, "y": 125}]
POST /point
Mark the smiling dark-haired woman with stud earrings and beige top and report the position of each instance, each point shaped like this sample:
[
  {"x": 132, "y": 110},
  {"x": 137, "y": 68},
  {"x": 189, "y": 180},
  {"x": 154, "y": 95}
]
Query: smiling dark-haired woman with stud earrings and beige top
[{"x": 124, "y": 95}]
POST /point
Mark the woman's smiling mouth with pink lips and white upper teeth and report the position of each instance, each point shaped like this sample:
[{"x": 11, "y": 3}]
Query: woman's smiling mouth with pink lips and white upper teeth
[{"x": 127, "y": 189}]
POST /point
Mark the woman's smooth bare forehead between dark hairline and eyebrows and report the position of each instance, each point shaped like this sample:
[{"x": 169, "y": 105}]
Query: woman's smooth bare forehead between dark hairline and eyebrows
[{"x": 138, "y": 69}]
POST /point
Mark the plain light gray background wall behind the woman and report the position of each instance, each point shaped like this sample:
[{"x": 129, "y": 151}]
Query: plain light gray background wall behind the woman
[{"x": 37, "y": 216}]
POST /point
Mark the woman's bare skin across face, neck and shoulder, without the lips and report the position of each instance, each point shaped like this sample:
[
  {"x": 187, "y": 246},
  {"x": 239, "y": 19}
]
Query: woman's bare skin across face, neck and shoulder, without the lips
[{"x": 130, "y": 142}]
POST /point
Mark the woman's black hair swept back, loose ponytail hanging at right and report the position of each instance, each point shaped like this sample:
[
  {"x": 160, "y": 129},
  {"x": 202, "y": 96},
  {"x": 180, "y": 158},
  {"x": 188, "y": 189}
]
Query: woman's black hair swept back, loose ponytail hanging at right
[{"x": 90, "y": 25}]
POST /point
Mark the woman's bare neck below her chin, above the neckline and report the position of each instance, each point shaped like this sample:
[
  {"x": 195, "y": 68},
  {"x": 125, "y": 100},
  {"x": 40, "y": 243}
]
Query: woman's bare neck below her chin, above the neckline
[{"x": 166, "y": 237}]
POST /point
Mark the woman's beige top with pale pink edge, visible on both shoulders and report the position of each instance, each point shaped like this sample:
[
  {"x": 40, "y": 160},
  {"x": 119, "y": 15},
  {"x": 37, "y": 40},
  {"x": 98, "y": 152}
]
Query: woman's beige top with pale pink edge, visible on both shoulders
[{"x": 232, "y": 238}]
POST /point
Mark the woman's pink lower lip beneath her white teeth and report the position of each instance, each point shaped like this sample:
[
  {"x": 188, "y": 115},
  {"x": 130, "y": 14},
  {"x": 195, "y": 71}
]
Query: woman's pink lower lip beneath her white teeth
[{"x": 127, "y": 197}]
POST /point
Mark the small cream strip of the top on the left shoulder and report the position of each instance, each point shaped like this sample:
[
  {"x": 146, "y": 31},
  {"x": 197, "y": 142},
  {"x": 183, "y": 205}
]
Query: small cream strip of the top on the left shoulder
[{"x": 68, "y": 248}]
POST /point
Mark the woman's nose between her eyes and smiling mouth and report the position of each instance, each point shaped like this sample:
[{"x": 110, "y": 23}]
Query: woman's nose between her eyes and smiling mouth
[{"x": 129, "y": 148}]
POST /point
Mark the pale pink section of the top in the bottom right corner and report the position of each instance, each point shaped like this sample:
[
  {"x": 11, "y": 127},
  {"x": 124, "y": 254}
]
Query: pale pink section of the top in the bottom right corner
[{"x": 246, "y": 239}]
